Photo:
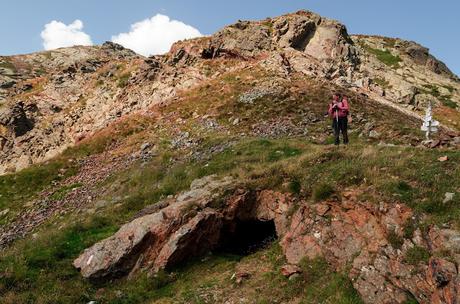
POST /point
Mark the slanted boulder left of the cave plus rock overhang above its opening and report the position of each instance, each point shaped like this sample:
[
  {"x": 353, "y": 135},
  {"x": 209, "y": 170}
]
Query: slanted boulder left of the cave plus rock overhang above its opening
[{"x": 191, "y": 224}]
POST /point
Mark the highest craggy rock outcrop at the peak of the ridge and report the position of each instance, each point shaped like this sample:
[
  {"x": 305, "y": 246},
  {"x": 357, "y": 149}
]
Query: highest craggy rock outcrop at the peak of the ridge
[{"x": 322, "y": 39}]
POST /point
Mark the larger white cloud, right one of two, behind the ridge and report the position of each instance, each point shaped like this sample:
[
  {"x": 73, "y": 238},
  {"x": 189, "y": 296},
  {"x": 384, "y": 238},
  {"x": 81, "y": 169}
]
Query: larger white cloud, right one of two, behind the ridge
[{"x": 155, "y": 36}]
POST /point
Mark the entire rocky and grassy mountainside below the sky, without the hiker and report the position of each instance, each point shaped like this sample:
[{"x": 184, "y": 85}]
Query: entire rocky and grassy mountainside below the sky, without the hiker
[{"x": 207, "y": 175}]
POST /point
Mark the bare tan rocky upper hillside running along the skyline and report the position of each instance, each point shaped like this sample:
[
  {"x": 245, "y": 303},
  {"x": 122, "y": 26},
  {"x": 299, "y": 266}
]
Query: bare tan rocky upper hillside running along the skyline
[{"x": 52, "y": 100}]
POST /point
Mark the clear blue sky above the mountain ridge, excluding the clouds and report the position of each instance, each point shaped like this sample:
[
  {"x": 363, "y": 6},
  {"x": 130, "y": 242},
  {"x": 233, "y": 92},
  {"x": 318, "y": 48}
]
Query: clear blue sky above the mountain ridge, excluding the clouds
[{"x": 432, "y": 23}]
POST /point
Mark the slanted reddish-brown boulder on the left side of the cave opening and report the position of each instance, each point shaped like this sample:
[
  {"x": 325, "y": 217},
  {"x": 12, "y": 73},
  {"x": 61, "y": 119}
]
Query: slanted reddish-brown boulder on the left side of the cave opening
[{"x": 156, "y": 240}]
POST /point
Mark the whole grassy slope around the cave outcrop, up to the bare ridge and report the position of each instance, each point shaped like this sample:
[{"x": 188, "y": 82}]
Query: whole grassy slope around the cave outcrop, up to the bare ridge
[{"x": 38, "y": 269}]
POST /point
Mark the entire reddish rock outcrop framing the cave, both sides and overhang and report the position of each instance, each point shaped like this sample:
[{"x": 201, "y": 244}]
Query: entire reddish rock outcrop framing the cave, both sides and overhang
[{"x": 365, "y": 239}]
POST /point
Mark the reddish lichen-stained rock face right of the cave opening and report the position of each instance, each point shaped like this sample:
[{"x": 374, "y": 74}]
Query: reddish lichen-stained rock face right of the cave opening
[{"x": 363, "y": 235}]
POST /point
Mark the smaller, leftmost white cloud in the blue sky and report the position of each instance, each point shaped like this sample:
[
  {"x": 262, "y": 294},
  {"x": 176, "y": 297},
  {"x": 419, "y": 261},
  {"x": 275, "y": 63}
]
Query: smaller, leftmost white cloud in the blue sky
[{"x": 57, "y": 34}]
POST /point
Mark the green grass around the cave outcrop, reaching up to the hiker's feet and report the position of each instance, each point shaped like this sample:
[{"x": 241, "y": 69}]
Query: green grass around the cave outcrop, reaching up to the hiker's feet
[{"x": 40, "y": 270}]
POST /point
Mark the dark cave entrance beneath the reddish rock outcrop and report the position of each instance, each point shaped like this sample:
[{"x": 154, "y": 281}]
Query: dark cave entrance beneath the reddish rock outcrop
[{"x": 243, "y": 237}]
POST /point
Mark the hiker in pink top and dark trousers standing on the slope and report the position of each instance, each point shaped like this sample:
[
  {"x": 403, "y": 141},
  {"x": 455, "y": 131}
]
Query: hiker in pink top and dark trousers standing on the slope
[{"x": 338, "y": 111}]
